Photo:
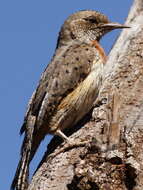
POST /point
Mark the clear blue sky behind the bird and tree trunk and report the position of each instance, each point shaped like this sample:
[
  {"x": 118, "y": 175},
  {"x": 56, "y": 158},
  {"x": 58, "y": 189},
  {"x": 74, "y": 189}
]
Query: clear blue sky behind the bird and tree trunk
[{"x": 28, "y": 34}]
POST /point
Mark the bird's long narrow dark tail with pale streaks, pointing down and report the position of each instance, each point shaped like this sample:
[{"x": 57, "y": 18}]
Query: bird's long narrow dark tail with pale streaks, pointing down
[{"x": 20, "y": 181}]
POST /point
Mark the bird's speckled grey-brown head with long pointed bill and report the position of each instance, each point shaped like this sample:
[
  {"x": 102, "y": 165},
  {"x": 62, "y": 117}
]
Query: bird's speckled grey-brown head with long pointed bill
[{"x": 86, "y": 26}]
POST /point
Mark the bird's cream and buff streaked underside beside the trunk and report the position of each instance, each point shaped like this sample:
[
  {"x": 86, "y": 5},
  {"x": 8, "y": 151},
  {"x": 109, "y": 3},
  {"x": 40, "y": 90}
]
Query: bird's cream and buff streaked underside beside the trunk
[{"x": 80, "y": 101}]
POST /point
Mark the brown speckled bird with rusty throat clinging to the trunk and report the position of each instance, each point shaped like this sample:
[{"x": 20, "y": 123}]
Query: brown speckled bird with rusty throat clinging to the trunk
[{"x": 68, "y": 86}]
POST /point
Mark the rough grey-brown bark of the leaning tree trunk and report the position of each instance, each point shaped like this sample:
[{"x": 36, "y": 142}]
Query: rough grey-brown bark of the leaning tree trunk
[{"x": 113, "y": 157}]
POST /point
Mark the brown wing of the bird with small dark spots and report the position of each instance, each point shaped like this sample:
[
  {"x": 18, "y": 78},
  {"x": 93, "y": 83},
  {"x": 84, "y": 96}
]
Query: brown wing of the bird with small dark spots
[{"x": 69, "y": 67}]
